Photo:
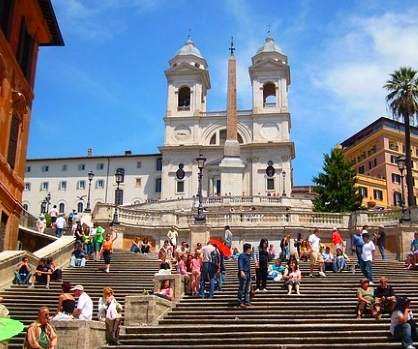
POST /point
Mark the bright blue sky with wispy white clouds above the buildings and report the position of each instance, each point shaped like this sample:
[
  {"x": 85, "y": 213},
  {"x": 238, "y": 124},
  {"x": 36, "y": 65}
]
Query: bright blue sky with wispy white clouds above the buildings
[{"x": 106, "y": 88}]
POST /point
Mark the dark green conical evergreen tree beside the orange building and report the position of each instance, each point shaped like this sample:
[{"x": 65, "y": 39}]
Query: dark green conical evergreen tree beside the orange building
[{"x": 336, "y": 186}]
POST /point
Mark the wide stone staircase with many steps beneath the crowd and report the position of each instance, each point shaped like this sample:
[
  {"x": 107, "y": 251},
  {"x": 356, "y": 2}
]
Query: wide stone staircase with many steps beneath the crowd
[{"x": 322, "y": 317}]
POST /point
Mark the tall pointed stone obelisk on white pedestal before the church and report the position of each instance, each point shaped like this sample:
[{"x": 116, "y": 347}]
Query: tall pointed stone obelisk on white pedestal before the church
[{"x": 231, "y": 165}]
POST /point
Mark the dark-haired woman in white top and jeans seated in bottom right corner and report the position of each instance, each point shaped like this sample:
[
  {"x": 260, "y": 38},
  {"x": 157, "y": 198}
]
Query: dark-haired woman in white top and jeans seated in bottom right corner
[{"x": 402, "y": 324}]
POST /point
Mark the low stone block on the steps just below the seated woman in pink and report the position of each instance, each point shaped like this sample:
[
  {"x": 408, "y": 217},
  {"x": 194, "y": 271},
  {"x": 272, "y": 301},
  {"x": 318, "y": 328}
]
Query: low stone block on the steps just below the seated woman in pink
[{"x": 145, "y": 310}]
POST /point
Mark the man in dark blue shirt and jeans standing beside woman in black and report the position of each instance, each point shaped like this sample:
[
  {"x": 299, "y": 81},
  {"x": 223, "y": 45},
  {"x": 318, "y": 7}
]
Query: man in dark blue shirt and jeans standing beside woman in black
[{"x": 244, "y": 277}]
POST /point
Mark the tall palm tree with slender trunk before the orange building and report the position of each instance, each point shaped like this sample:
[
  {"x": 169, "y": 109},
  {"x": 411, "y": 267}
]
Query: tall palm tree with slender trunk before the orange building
[{"x": 403, "y": 103}]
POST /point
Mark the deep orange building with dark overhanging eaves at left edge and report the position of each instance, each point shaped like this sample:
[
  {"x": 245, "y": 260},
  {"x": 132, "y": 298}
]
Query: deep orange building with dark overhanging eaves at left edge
[{"x": 25, "y": 25}]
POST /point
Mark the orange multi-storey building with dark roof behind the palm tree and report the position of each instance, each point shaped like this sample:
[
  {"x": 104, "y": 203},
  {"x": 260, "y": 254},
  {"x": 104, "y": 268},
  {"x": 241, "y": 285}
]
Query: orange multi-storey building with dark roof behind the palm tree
[{"x": 374, "y": 153}]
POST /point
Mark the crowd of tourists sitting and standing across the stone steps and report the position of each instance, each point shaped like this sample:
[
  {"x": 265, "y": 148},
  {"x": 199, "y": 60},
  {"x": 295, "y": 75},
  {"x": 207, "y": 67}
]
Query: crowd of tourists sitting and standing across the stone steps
[{"x": 205, "y": 265}]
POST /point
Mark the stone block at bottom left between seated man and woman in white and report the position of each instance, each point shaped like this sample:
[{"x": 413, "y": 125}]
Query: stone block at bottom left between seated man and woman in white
[{"x": 80, "y": 334}]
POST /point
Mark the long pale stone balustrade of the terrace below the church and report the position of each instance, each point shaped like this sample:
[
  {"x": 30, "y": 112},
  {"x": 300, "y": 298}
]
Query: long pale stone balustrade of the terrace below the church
[{"x": 259, "y": 216}]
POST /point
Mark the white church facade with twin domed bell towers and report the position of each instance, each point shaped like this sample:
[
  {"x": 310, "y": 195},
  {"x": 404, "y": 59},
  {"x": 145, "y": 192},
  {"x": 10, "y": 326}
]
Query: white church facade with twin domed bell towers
[{"x": 263, "y": 133}]
